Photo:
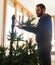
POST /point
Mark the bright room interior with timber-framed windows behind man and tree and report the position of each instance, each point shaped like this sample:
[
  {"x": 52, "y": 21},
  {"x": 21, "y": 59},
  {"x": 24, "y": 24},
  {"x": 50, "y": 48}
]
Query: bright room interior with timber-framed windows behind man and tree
[{"x": 23, "y": 10}]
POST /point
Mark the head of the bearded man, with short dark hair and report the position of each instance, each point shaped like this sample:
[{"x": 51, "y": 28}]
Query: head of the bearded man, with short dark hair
[{"x": 40, "y": 10}]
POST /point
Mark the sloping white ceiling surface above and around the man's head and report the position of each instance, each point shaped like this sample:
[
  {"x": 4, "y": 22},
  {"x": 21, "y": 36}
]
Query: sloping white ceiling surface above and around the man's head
[{"x": 31, "y": 4}]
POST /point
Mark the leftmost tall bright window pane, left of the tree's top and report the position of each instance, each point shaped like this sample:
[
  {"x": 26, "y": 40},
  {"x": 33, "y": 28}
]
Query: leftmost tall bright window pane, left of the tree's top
[{"x": 10, "y": 12}]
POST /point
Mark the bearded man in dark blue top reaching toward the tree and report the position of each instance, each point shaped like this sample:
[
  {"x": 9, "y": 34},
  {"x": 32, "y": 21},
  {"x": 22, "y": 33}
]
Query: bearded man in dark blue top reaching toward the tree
[{"x": 43, "y": 32}]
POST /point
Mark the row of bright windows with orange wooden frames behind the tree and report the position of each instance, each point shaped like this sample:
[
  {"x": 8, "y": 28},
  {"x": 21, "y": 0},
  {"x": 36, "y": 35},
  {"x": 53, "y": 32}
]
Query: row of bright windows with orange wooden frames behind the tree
[{"x": 11, "y": 9}]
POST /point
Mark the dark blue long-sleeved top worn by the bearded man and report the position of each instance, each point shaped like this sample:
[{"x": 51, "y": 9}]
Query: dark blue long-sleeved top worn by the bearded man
[{"x": 43, "y": 30}]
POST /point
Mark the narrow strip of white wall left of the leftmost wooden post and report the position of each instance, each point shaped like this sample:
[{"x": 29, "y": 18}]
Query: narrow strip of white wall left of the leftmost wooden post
[{"x": 1, "y": 18}]
